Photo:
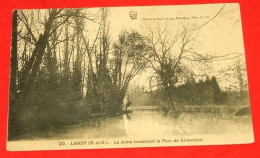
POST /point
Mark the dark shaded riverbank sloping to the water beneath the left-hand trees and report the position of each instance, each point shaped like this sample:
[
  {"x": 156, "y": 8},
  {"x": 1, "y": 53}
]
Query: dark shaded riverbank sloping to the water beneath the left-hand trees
[{"x": 46, "y": 120}]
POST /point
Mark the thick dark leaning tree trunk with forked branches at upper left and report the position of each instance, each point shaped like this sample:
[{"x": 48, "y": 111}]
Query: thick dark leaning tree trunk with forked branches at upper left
[{"x": 32, "y": 66}]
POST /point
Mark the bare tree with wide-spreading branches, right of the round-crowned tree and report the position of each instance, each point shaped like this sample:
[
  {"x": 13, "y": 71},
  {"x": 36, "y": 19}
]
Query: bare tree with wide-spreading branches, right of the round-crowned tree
[{"x": 168, "y": 56}]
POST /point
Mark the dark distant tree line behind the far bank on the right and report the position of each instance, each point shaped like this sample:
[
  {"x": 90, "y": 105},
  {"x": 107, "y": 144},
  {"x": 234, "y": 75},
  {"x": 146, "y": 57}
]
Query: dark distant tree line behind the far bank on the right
[{"x": 191, "y": 93}]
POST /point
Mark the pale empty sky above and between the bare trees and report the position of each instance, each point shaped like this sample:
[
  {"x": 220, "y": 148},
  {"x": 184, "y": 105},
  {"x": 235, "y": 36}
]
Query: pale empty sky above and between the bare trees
[{"x": 219, "y": 37}]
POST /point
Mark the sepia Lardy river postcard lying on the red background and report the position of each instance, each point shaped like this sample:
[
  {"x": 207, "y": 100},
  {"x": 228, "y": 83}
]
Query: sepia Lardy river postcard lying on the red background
[{"x": 120, "y": 77}]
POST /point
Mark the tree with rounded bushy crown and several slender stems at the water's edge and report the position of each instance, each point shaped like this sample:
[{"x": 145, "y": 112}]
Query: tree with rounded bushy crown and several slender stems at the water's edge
[{"x": 128, "y": 61}]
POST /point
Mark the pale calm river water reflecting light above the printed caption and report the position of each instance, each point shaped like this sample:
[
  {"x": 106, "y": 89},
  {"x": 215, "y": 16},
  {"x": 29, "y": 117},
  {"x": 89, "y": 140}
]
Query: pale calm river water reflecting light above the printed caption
[{"x": 150, "y": 124}]
